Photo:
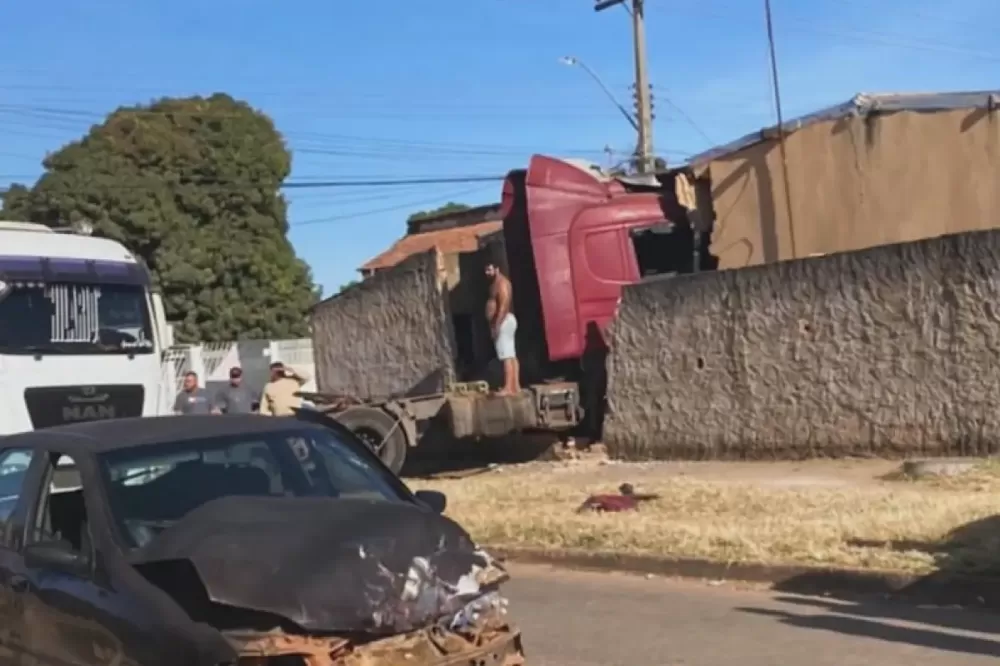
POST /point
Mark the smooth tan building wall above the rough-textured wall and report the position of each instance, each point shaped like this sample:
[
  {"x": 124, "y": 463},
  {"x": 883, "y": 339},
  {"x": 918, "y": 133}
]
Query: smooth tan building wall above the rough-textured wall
[{"x": 856, "y": 183}]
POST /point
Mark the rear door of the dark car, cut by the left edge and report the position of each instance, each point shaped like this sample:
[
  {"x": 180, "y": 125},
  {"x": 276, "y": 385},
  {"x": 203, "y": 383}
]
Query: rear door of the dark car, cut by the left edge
[{"x": 14, "y": 480}]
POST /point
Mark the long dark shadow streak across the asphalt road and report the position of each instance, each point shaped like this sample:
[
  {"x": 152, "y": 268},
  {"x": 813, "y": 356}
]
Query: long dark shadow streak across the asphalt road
[{"x": 879, "y": 621}]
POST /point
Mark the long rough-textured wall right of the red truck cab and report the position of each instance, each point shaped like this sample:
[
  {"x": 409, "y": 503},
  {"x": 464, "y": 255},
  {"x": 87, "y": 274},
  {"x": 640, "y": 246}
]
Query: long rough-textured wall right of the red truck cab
[{"x": 887, "y": 352}]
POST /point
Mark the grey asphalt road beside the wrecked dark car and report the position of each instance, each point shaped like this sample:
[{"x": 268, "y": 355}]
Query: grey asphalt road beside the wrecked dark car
[{"x": 594, "y": 619}]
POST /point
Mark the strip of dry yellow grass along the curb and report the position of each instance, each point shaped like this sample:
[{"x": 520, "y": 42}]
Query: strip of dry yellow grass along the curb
[{"x": 913, "y": 526}]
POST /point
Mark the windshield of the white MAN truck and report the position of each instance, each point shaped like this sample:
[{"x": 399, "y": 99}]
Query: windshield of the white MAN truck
[{"x": 40, "y": 317}]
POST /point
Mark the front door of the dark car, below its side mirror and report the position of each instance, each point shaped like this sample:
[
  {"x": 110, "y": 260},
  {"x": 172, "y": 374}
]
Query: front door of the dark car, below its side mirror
[{"x": 78, "y": 617}]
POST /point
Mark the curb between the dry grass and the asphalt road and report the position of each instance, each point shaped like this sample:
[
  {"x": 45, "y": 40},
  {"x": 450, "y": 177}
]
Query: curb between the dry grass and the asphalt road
[{"x": 942, "y": 588}]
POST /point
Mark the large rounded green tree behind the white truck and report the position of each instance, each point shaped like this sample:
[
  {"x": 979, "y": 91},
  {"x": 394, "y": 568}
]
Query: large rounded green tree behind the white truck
[{"x": 192, "y": 186}]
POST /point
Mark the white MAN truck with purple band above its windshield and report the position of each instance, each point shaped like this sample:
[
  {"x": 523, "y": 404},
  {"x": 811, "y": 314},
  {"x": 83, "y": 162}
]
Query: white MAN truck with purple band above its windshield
[{"x": 81, "y": 330}]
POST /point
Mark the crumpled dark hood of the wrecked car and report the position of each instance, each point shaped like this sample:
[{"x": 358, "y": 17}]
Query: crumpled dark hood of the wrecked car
[{"x": 330, "y": 565}]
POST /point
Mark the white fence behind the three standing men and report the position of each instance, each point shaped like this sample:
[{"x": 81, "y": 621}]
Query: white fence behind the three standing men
[{"x": 213, "y": 360}]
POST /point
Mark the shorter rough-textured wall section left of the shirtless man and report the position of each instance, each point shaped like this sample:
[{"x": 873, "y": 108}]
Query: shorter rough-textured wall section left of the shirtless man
[{"x": 389, "y": 335}]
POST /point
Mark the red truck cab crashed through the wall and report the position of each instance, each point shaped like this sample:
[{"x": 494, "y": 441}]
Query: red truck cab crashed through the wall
[{"x": 574, "y": 237}]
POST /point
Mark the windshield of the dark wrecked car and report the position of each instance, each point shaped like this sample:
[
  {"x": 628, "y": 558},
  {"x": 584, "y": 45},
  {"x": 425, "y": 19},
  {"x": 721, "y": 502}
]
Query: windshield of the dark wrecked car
[{"x": 152, "y": 487}]
